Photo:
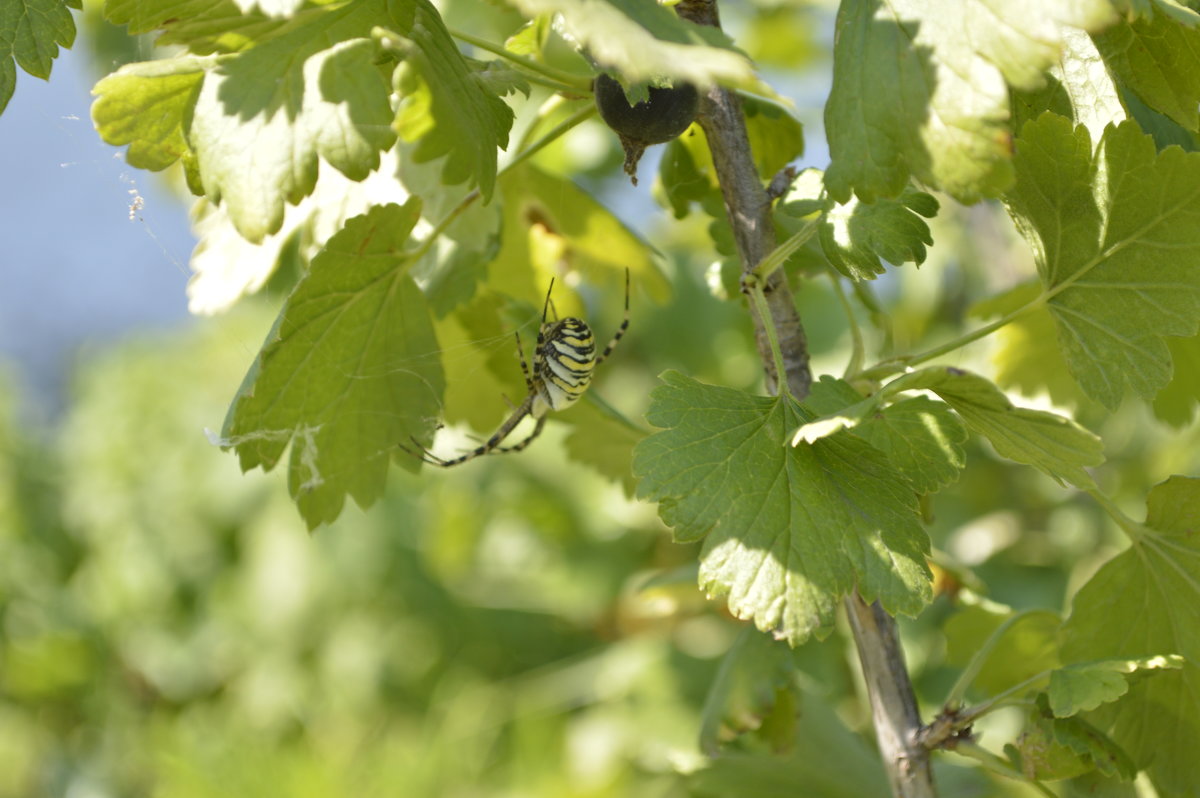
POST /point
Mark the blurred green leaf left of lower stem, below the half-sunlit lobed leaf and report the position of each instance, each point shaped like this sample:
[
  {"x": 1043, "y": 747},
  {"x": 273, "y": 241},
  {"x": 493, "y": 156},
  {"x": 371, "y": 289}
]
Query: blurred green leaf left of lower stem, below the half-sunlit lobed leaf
[{"x": 745, "y": 689}]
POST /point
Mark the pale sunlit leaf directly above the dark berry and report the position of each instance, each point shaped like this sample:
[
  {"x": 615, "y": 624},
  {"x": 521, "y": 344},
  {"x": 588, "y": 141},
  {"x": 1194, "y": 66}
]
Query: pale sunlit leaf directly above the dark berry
[{"x": 645, "y": 41}]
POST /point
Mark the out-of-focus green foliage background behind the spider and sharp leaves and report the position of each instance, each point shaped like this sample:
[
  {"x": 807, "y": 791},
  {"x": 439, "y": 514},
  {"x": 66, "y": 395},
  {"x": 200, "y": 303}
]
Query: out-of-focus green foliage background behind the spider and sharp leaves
[{"x": 517, "y": 627}]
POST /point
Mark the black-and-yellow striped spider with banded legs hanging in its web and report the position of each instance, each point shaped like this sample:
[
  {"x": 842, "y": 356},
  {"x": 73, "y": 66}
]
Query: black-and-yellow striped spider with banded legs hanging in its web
[{"x": 563, "y": 363}]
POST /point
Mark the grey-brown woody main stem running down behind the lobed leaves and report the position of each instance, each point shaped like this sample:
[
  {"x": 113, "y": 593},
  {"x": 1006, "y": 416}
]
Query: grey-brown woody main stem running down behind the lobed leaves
[{"x": 893, "y": 705}]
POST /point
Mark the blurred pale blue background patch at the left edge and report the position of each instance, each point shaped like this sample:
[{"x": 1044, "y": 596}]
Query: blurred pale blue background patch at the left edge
[{"x": 75, "y": 271}]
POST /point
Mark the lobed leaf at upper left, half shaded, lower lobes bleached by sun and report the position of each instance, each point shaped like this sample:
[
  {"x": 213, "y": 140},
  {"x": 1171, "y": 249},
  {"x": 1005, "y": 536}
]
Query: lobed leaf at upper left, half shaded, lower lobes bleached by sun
[{"x": 265, "y": 117}]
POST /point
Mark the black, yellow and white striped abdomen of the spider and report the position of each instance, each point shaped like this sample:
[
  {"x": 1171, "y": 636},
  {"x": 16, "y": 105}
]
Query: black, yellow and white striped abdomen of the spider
[{"x": 562, "y": 364}]
